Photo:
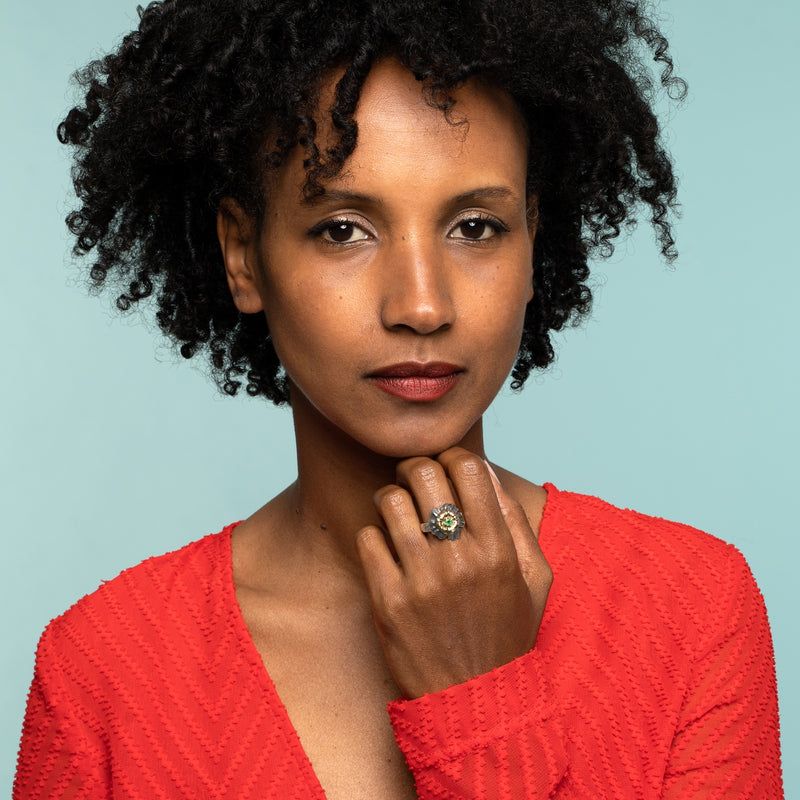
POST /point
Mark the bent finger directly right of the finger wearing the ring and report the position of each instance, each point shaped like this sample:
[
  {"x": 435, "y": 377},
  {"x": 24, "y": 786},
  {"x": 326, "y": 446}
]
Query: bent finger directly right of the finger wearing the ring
[{"x": 478, "y": 501}]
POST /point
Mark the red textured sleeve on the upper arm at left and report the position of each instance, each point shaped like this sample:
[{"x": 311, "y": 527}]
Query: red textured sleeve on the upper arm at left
[{"x": 59, "y": 755}]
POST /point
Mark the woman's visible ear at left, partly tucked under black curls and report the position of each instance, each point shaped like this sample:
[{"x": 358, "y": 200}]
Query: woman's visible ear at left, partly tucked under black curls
[{"x": 238, "y": 241}]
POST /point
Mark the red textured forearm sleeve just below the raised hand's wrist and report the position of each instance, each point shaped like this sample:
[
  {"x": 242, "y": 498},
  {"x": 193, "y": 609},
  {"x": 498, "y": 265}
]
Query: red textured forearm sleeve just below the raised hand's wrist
[{"x": 495, "y": 737}]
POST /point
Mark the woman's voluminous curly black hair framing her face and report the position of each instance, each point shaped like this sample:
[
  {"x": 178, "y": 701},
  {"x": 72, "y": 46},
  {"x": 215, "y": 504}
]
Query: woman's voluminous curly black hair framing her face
[{"x": 177, "y": 118}]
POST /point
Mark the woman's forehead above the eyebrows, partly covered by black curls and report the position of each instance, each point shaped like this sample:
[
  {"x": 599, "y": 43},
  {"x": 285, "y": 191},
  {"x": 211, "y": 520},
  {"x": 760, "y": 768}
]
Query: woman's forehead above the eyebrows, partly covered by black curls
[{"x": 404, "y": 141}]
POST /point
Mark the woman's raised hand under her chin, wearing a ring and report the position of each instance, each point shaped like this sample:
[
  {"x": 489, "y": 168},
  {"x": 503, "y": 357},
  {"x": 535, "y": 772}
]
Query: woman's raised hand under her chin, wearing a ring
[{"x": 447, "y": 611}]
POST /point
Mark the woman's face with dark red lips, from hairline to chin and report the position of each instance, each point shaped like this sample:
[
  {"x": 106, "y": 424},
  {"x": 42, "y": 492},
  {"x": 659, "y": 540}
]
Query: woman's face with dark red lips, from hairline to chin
[{"x": 396, "y": 300}]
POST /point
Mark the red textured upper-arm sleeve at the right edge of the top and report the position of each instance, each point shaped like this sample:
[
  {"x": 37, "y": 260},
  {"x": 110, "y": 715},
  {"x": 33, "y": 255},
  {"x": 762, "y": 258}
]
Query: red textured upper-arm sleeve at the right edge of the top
[{"x": 727, "y": 742}]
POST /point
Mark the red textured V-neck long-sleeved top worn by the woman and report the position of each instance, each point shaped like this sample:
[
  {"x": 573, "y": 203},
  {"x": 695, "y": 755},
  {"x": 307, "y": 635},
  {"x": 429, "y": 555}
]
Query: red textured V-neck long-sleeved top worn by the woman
[{"x": 652, "y": 677}]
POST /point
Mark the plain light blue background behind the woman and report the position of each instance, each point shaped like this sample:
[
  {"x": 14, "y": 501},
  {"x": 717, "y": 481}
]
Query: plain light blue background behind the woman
[{"x": 679, "y": 398}]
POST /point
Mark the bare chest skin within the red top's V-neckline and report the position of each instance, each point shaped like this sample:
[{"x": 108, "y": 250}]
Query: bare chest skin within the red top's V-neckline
[{"x": 331, "y": 677}]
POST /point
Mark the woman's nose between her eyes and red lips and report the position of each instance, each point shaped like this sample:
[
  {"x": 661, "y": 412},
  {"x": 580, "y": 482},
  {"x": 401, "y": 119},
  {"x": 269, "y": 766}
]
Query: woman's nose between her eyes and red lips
[{"x": 417, "y": 288}]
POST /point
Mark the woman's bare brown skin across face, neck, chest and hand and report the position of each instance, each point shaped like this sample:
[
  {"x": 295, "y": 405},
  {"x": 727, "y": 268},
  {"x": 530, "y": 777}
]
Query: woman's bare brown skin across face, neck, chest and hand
[{"x": 420, "y": 251}]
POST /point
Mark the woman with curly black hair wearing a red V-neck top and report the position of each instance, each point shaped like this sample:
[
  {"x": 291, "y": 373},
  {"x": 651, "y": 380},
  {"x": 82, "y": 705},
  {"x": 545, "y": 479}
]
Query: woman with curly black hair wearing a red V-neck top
[{"x": 375, "y": 213}]
